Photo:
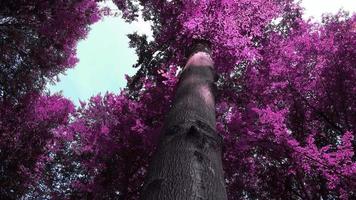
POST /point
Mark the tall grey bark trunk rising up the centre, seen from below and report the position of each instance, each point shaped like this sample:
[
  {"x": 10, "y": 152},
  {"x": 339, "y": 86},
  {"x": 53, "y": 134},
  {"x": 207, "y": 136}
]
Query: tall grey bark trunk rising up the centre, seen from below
[{"x": 187, "y": 164}]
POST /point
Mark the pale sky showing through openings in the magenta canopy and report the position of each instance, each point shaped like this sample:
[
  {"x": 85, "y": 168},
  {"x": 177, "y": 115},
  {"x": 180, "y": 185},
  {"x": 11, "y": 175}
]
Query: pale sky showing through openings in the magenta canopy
[{"x": 105, "y": 56}]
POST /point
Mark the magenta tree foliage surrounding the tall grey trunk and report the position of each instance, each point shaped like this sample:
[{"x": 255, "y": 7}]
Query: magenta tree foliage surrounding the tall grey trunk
[{"x": 285, "y": 103}]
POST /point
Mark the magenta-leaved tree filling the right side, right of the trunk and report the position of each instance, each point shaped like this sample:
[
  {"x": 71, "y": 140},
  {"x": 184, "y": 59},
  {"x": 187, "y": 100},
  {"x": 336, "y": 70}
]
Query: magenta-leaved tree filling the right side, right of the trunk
[{"x": 298, "y": 145}]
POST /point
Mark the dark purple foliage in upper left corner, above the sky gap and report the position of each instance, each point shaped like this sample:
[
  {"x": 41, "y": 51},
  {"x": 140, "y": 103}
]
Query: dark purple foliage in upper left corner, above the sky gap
[{"x": 38, "y": 41}]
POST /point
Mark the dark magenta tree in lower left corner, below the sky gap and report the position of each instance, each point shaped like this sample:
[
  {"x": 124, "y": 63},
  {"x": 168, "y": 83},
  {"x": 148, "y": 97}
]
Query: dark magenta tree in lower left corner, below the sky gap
[{"x": 26, "y": 134}]
